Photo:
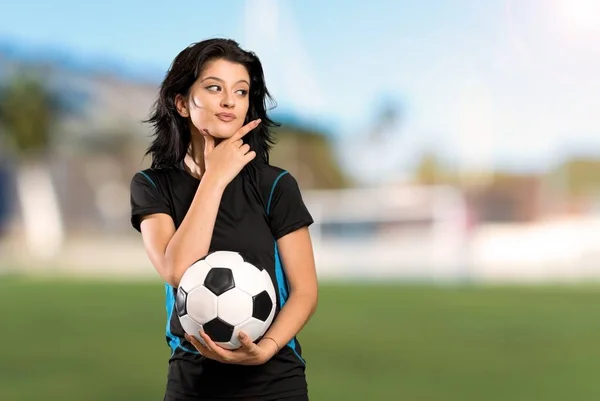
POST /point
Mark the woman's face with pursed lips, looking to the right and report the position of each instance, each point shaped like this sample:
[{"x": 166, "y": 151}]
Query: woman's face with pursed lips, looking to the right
[{"x": 218, "y": 100}]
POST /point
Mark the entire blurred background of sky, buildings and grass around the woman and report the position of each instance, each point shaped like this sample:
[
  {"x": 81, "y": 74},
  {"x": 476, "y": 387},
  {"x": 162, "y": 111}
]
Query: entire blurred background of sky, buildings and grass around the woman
[{"x": 449, "y": 152}]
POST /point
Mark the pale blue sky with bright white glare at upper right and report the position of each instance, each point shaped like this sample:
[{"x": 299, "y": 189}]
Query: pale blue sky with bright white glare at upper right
[{"x": 504, "y": 82}]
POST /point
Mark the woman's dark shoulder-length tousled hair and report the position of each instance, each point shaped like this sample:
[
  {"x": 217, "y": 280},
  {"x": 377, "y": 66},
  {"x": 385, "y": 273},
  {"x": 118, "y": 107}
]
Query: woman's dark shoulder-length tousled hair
[{"x": 171, "y": 130}]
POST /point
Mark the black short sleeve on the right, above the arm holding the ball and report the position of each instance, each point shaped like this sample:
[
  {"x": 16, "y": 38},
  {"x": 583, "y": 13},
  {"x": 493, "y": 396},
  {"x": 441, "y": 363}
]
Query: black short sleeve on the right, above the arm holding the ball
[{"x": 286, "y": 208}]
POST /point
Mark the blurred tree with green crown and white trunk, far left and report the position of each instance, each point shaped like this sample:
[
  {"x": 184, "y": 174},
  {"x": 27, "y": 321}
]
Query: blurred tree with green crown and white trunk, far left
[{"x": 28, "y": 112}]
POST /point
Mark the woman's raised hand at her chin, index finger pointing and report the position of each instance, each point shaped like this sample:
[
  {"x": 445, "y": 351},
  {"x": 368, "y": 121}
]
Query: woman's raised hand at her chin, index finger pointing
[{"x": 225, "y": 160}]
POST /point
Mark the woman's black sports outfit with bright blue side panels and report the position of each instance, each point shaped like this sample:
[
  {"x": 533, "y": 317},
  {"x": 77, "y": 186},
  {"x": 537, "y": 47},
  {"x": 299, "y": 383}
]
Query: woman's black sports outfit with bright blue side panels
[{"x": 261, "y": 205}]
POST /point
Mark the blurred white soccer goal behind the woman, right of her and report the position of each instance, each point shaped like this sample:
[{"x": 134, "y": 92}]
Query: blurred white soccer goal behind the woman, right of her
[{"x": 407, "y": 232}]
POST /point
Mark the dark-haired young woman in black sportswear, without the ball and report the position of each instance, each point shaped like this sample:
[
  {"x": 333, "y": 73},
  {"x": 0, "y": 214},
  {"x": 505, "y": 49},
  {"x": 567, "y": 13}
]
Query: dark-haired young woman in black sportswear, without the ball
[{"x": 211, "y": 187}]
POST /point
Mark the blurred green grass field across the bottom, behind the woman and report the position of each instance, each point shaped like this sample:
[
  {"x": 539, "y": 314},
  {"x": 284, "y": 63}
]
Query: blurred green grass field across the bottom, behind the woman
[{"x": 103, "y": 341}]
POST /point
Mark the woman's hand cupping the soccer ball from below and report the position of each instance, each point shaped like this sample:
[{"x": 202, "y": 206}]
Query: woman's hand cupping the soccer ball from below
[{"x": 248, "y": 354}]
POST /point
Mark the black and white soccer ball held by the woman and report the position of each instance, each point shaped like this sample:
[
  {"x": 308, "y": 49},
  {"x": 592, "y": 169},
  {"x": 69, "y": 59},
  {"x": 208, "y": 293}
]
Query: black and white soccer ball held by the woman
[{"x": 224, "y": 294}]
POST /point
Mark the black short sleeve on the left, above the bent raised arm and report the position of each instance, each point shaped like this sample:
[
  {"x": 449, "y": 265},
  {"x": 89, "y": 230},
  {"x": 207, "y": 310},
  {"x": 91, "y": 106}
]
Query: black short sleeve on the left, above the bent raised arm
[{"x": 146, "y": 198}]
